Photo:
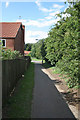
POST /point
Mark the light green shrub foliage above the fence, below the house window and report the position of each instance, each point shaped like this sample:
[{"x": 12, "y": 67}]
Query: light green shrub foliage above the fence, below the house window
[{"x": 8, "y": 54}]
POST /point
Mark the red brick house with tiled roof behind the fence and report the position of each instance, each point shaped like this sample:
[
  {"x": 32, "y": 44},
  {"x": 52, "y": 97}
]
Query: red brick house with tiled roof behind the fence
[{"x": 12, "y": 35}]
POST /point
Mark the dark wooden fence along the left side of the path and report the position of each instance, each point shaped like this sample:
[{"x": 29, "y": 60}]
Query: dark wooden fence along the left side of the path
[{"x": 12, "y": 71}]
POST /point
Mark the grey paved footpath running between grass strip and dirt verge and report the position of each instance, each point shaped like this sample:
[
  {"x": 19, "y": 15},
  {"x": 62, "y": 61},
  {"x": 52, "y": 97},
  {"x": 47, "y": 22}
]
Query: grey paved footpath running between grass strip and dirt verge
[{"x": 47, "y": 101}]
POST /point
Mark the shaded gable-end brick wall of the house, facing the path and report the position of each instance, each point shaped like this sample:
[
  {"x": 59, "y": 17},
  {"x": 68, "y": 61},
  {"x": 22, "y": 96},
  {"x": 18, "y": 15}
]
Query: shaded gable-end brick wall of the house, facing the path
[{"x": 19, "y": 41}]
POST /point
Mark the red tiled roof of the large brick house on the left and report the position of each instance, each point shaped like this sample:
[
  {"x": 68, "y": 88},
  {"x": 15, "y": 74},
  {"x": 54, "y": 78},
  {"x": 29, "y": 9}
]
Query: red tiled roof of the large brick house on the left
[{"x": 9, "y": 29}]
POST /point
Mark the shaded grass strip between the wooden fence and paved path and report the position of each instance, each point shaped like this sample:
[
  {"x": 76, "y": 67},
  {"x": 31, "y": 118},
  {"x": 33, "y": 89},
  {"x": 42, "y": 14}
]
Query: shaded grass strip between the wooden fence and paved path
[{"x": 19, "y": 104}]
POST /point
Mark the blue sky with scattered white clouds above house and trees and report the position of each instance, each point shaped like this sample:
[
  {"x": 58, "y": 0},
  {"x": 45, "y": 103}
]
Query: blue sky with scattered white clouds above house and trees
[{"x": 38, "y": 17}]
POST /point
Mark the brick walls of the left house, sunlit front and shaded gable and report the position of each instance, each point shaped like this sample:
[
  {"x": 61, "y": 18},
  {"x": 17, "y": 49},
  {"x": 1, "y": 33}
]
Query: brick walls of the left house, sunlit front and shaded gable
[{"x": 16, "y": 43}]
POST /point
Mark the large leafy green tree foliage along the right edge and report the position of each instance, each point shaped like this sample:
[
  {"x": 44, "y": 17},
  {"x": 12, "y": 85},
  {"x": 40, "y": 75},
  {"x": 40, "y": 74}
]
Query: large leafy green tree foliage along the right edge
[{"x": 63, "y": 44}]
